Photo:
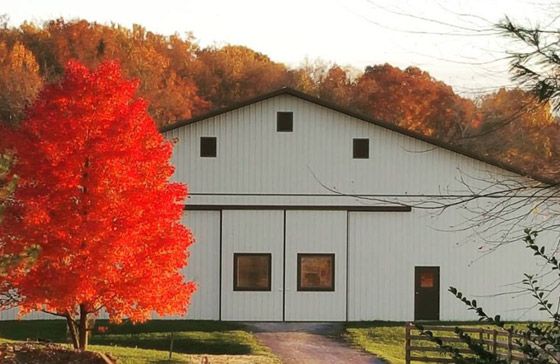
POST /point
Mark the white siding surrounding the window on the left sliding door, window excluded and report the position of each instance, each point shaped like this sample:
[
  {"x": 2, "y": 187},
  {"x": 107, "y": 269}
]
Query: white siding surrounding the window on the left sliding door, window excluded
[{"x": 252, "y": 232}]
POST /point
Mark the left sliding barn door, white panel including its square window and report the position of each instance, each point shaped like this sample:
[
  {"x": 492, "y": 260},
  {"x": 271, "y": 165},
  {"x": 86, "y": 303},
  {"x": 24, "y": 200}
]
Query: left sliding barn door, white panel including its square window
[{"x": 252, "y": 261}]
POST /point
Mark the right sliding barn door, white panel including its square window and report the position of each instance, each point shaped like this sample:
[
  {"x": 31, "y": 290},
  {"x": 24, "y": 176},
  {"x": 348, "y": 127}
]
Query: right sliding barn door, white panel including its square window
[{"x": 315, "y": 266}]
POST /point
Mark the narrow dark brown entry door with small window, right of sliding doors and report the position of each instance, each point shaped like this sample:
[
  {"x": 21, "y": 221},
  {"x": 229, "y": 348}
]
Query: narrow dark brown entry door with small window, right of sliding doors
[{"x": 426, "y": 293}]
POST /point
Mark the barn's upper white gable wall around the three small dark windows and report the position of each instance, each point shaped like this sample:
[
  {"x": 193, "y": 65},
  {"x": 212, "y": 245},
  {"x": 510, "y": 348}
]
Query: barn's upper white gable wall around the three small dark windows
[{"x": 253, "y": 158}]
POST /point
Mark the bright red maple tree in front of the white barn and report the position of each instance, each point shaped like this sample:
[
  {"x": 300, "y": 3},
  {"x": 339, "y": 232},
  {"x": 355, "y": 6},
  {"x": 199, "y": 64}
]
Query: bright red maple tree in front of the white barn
[{"x": 94, "y": 223}]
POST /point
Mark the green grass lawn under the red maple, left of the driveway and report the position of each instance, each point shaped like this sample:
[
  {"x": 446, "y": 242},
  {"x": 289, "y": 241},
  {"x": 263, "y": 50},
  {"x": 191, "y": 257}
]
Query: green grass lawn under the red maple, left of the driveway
[{"x": 149, "y": 342}]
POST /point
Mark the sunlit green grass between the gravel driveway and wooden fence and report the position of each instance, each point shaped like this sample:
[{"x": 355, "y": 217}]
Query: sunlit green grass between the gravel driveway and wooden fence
[{"x": 386, "y": 339}]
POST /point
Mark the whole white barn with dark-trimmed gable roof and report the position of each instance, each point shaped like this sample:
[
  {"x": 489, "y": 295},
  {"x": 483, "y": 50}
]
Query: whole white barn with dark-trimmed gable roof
[{"x": 303, "y": 211}]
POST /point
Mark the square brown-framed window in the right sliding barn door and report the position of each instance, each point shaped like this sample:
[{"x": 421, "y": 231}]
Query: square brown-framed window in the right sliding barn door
[{"x": 315, "y": 272}]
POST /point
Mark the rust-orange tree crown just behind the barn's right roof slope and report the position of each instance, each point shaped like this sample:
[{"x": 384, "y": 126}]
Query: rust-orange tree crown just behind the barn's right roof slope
[{"x": 414, "y": 100}]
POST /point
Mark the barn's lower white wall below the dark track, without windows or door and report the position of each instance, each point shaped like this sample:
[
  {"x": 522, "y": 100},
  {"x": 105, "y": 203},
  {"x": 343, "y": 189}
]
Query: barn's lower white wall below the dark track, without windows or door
[{"x": 383, "y": 249}]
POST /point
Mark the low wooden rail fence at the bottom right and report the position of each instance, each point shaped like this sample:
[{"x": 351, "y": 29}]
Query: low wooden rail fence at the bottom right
[{"x": 499, "y": 342}]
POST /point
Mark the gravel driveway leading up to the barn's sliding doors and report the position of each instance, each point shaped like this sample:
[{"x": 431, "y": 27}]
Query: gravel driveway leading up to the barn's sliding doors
[{"x": 309, "y": 343}]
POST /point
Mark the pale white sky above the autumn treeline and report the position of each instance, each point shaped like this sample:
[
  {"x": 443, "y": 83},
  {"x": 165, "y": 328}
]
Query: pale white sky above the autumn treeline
[{"x": 454, "y": 40}]
